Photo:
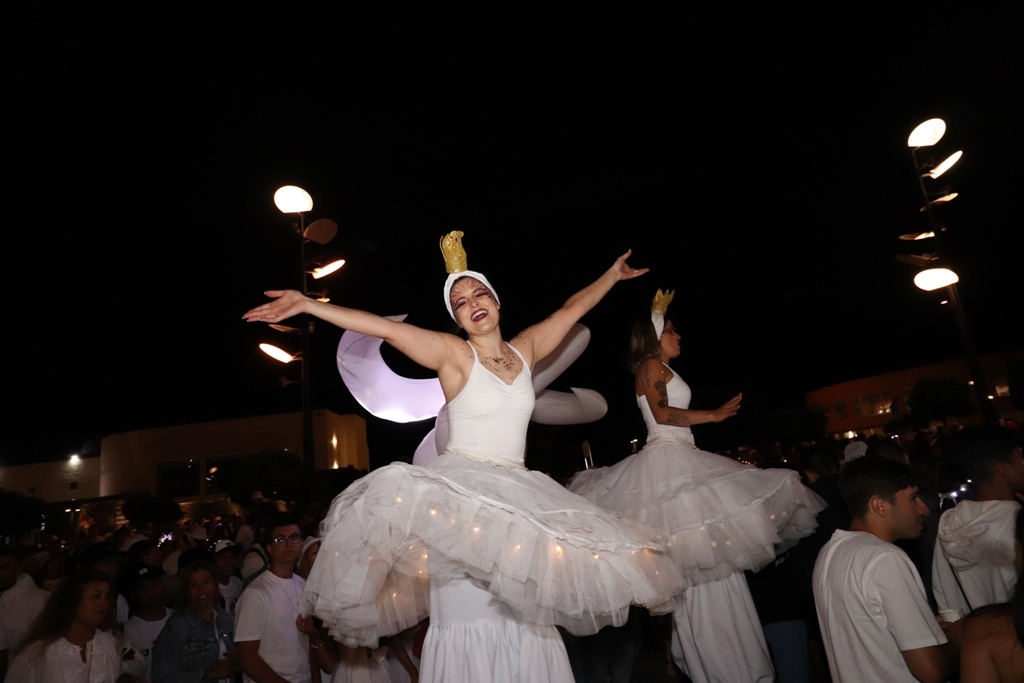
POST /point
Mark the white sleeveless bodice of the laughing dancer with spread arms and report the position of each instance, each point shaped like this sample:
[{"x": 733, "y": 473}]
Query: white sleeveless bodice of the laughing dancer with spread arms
[{"x": 489, "y": 418}]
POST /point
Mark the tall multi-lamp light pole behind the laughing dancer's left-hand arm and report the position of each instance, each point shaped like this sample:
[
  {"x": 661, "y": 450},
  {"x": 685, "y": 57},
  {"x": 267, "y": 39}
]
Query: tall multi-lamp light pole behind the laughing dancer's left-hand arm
[{"x": 293, "y": 200}]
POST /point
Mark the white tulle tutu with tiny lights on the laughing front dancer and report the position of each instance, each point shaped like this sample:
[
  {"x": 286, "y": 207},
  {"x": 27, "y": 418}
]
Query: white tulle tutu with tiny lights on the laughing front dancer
[{"x": 552, "y": 558}]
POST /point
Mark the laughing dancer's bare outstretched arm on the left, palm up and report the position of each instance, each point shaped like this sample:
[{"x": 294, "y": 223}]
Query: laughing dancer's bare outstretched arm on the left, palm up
[{"x": 431, "y": 350}]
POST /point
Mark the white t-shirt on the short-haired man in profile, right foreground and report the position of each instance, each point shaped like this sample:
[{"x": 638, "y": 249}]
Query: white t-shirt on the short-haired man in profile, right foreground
[{"x": 872, "y": 607}]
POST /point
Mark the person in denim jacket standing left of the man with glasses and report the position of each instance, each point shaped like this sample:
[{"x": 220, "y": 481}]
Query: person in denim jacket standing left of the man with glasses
[{"x": 198, "y": 643}]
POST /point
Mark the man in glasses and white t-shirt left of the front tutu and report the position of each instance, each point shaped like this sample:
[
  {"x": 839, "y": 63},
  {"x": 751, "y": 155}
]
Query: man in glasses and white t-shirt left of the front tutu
[{"x": 272, "y": 649}]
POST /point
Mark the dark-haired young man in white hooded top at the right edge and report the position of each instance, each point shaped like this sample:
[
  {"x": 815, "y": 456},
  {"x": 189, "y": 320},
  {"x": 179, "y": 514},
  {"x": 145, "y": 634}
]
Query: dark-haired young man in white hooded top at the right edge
[{"x": 974, "y": 561}]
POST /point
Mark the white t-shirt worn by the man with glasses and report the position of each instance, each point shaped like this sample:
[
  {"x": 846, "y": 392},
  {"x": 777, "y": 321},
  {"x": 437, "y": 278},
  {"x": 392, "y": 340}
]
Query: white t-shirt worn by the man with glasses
[{"x": 267, "y": 612}]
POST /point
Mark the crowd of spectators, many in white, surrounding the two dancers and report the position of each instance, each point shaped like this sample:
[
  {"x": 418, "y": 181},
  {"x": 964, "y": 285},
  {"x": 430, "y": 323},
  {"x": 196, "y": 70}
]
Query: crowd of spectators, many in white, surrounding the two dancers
[{"x": 129, "y": 606}]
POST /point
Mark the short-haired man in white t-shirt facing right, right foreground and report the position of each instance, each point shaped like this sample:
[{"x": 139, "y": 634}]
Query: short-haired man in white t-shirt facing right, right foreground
[{"x": 876, "y": 621}]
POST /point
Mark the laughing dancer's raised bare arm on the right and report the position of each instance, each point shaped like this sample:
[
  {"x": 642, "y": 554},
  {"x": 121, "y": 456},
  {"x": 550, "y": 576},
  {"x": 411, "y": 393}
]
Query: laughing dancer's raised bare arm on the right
[{"x": 539, "y": 340}]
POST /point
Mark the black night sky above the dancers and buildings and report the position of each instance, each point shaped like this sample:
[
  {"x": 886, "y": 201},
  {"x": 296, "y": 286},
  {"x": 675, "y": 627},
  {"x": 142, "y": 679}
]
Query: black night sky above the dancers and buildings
[{"x": 757, "y": 164}]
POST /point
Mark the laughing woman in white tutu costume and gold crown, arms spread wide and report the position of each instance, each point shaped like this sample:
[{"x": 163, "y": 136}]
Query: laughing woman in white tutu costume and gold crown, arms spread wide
[{"x": 501, "y": 554}]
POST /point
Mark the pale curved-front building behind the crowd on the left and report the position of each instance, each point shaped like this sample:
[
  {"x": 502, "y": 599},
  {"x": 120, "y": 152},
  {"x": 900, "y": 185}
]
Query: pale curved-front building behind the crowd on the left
[{"x": 189, "y": 462}]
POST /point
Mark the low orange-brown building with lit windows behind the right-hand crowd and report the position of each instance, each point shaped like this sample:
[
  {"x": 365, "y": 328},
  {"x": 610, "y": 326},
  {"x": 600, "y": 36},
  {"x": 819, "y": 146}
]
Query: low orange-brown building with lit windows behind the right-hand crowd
[{"x": 865, "y": 406}]
